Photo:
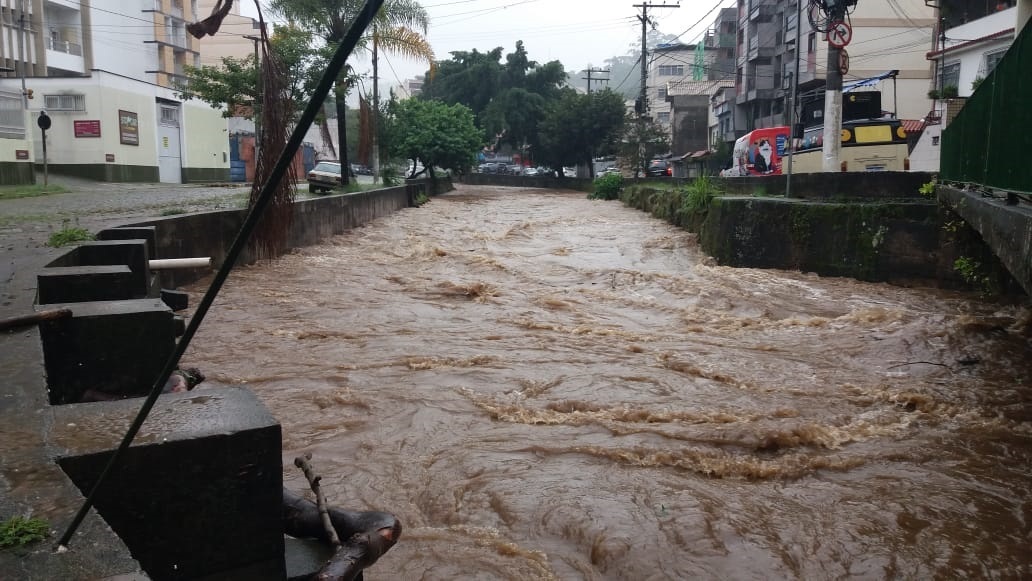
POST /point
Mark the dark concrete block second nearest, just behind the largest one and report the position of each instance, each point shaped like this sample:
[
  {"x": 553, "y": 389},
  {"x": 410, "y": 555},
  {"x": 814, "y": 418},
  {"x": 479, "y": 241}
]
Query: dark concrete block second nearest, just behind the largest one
[{"x": 117, "y": 347}]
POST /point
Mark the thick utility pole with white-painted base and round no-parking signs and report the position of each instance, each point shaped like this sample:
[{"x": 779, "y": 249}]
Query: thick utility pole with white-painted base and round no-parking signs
[{"x": 837, "y": 31}]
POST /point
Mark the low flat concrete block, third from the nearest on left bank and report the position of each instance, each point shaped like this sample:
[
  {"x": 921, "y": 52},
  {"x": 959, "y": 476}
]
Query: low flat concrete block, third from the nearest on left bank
[{"x": 83, "y": 284}]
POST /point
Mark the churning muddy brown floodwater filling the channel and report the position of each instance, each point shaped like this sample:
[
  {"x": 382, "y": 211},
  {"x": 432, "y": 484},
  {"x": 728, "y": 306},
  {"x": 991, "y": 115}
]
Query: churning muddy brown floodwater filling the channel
[{"x": 543, "y": 386}]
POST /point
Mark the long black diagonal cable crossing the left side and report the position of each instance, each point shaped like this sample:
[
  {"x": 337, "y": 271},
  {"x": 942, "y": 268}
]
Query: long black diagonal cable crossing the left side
[{"x": 347, "y": 46}]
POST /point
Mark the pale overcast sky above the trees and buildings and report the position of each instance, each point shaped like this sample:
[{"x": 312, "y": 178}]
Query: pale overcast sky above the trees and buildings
[{"x": 576, "y": 33}]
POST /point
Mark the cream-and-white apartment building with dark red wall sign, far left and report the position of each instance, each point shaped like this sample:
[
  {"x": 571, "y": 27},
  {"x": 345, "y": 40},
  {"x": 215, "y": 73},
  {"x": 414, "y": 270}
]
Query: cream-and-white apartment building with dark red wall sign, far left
[{"x": 107, "y": 77}]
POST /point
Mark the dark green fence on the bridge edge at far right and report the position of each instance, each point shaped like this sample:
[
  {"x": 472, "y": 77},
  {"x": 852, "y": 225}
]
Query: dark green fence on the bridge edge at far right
[{"x": 989, "y": 141}]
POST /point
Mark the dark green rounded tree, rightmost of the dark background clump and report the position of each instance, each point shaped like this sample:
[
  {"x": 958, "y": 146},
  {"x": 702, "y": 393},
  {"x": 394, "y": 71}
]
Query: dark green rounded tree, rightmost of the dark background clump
[{"x": 579, "y": 126}]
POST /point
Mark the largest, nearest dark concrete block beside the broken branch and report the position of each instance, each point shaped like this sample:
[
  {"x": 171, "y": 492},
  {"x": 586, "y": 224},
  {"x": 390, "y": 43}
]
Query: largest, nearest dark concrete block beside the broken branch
[{"x": 199, "y": 495}]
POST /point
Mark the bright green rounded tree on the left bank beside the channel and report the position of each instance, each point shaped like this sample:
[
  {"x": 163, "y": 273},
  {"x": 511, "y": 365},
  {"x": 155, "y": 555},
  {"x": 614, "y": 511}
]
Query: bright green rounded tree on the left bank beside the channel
[{"x": 434, "y": 134}]
